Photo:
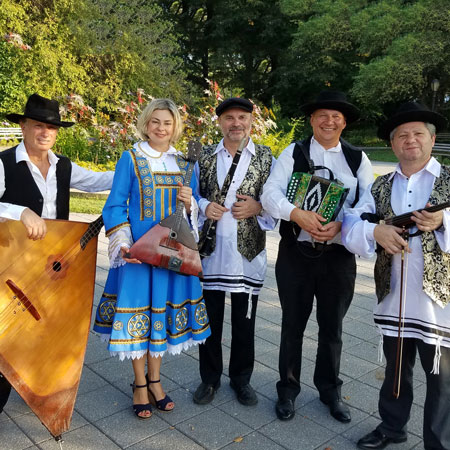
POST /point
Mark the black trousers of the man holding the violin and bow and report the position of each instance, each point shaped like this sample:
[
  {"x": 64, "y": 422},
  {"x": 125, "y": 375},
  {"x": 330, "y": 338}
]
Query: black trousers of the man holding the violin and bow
[{"x": 394, "y": 412}]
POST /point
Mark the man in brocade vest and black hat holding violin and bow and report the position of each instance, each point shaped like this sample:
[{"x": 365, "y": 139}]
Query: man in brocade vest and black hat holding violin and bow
[{"x": 418, "y": 181}]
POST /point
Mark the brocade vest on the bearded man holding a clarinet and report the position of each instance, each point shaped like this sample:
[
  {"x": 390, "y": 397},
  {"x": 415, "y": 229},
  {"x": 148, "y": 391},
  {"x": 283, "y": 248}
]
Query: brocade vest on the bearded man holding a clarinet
[{"x": 251, "y": 240}]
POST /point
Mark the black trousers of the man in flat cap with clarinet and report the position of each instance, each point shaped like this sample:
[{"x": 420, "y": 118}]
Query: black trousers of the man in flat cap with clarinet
[{"x": 242, "y": 356}]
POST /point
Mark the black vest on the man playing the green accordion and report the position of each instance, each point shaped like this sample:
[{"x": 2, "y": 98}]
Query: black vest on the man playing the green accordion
[{"x": 353, "y": 156}]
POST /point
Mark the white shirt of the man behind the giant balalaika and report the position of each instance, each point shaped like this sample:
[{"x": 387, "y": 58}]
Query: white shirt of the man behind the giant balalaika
[{"x": 82, "y": 179}]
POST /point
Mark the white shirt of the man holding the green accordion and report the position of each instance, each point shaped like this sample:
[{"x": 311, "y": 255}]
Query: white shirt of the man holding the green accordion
[{"x": 274, "y": 196}]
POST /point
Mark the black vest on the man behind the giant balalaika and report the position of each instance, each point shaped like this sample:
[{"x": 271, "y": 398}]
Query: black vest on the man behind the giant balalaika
[{"x": 21, "y": 189}]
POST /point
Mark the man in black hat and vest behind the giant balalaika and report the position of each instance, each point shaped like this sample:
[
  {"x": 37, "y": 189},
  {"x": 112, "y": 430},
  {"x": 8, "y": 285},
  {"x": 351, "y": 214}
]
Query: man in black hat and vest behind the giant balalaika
[{"x": 35, "y": 182}]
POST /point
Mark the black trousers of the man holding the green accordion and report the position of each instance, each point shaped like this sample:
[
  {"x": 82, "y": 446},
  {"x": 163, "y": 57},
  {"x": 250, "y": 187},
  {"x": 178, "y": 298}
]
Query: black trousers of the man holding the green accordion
[{"x": 331, "y": 279}]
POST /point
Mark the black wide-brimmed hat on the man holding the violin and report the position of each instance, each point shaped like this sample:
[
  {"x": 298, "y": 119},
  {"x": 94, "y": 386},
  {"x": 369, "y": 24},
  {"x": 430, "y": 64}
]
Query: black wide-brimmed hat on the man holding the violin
[{"x": 411, "y": 112}]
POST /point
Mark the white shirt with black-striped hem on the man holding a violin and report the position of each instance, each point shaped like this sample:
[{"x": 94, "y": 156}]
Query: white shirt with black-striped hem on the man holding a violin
[{"x": 424, "y": 318}]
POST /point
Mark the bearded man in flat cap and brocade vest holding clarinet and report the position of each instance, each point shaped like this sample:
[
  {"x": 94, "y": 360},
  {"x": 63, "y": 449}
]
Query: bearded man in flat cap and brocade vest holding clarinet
[{"x": 237, "y": 263}]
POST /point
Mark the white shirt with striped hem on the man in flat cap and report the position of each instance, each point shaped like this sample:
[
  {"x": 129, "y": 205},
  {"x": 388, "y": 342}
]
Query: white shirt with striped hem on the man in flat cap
[{"x": 226, "y": 269}]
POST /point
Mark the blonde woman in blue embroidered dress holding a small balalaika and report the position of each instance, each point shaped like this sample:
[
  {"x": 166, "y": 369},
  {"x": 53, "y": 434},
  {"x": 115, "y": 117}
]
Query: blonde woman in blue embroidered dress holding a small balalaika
[{"x": 145, "y": 310}]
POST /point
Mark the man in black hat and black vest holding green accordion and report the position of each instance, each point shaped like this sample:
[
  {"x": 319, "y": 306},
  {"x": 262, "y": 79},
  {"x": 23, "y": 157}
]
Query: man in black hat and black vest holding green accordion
[{"x": 311, "y": 260}]
